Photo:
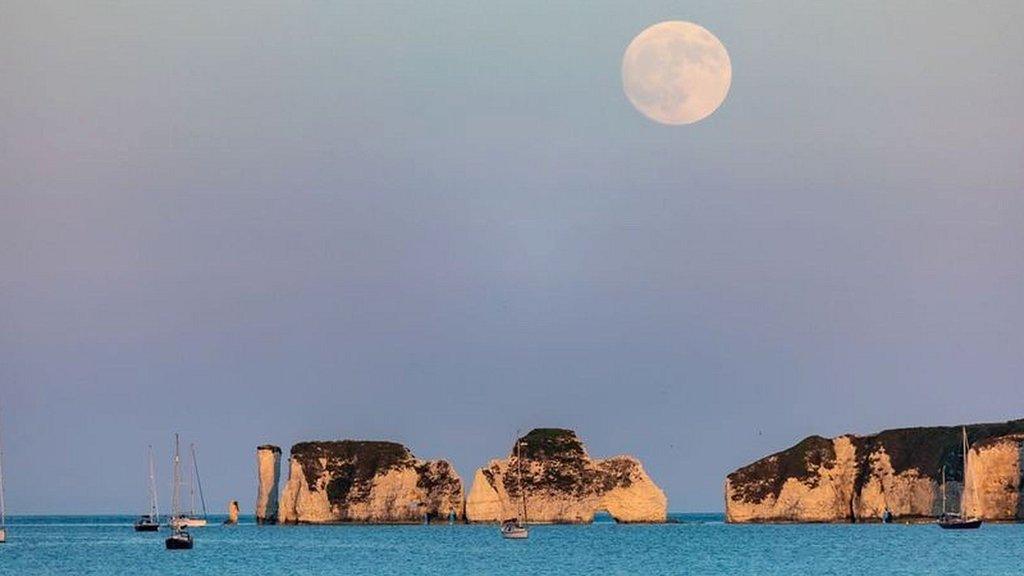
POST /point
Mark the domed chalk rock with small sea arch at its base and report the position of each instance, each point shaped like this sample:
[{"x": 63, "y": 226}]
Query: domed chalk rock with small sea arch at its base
[{"x": 564, "y": 485}]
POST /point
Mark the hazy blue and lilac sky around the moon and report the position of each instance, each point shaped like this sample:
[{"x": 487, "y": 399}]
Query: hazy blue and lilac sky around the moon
[{"x": 439, "y": 224}]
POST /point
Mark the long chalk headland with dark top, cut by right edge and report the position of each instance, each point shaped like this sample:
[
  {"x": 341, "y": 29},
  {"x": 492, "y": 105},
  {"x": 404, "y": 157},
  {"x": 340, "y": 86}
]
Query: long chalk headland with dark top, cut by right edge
[{"x": 852, "y": 479}]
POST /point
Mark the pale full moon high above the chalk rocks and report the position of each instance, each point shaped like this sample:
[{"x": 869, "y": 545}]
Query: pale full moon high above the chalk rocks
[{"x": 676, "y": 73}]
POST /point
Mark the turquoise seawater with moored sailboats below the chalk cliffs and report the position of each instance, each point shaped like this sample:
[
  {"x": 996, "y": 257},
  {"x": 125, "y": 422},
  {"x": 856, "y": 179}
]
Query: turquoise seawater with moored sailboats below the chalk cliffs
[{"x": 699, "y": 545}]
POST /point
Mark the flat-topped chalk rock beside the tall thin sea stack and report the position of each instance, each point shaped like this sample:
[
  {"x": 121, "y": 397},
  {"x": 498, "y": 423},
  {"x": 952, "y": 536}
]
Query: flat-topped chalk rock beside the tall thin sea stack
[{"x": 367, "y": 482}]
